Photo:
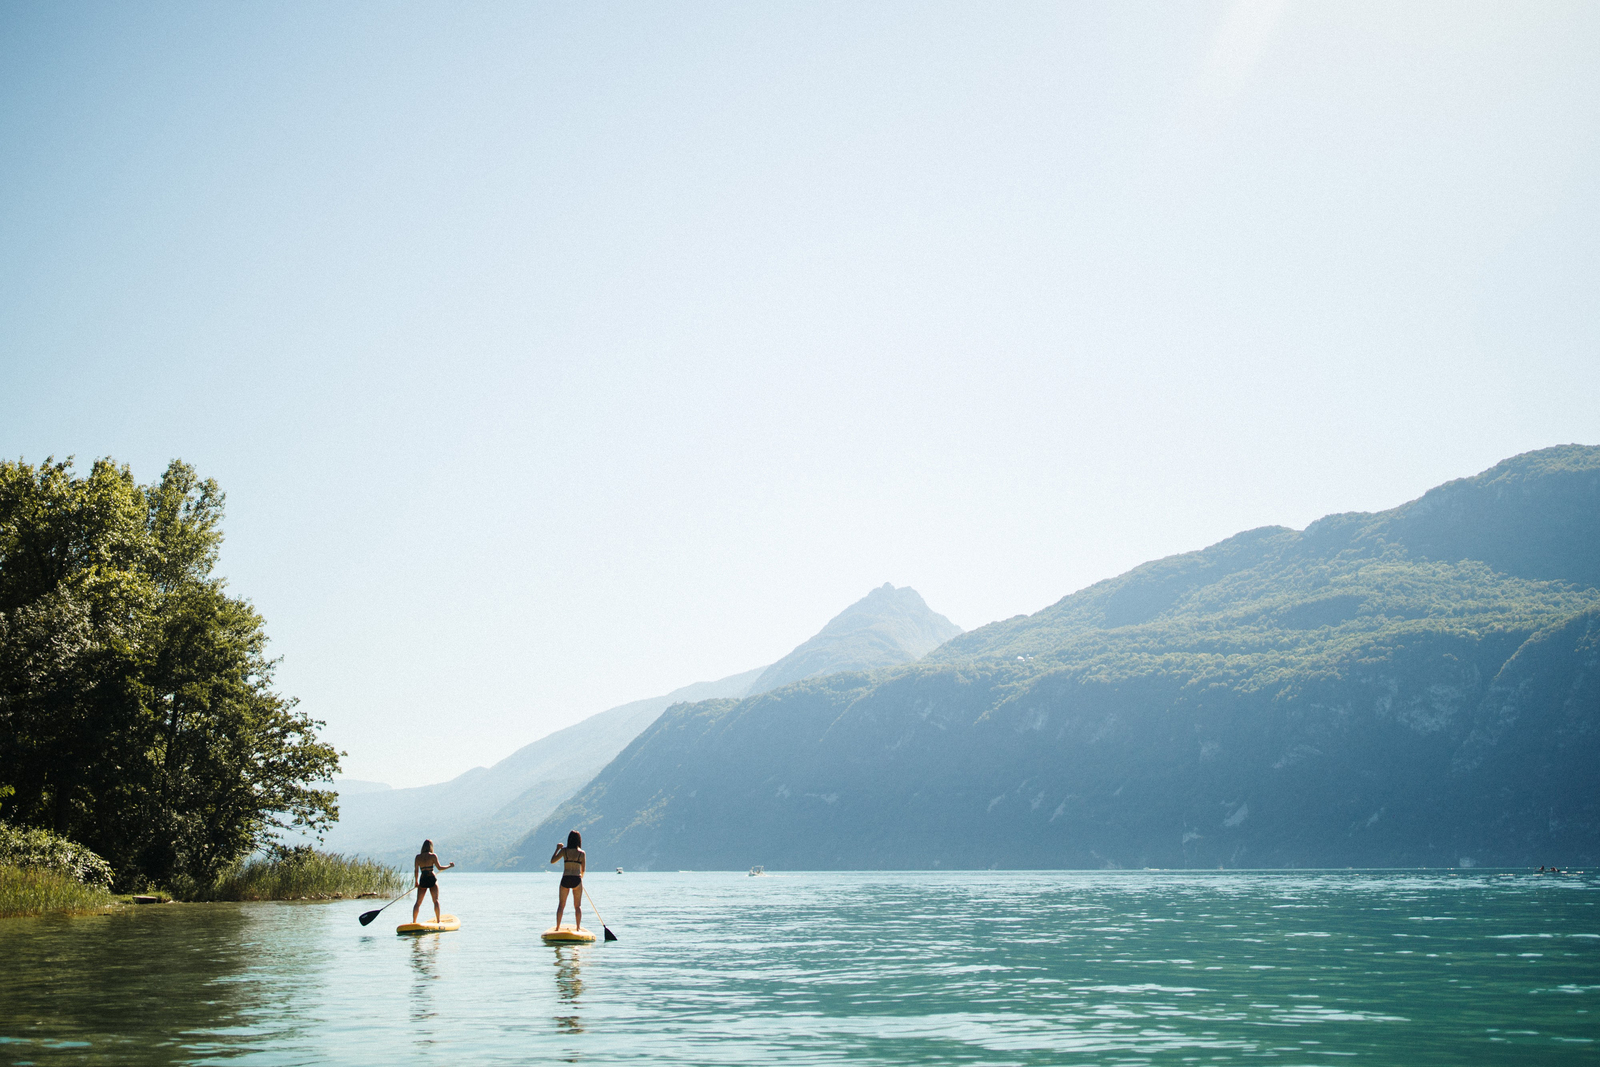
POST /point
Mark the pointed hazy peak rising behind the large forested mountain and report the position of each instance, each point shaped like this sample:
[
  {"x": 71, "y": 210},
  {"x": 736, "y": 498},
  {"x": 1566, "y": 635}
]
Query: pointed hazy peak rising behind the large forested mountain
[{"x": 884, "y": 629}]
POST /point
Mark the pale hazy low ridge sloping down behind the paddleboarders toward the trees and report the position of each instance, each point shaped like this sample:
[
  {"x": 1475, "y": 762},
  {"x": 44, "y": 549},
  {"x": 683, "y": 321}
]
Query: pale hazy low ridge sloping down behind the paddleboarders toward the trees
[{"x": 474, "y": 817}]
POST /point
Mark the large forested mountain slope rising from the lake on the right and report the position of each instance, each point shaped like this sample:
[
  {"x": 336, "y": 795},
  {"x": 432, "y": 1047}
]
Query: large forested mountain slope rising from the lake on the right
[{"x": 1418, "y": 687}]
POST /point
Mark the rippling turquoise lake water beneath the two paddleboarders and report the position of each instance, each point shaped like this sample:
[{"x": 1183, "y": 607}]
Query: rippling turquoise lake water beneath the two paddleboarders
[{"x": 823, "y": 969}]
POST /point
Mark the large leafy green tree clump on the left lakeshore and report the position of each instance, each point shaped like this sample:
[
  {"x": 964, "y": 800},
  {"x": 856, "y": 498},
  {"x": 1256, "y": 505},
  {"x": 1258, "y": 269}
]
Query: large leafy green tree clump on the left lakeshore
[{"x": 137, "y": 703}]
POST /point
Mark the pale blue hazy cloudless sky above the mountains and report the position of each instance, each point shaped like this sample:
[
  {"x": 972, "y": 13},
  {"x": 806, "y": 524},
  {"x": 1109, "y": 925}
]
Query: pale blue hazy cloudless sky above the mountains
[{"x": 558, "y": 356}]
